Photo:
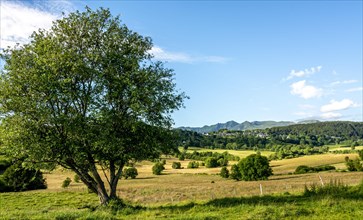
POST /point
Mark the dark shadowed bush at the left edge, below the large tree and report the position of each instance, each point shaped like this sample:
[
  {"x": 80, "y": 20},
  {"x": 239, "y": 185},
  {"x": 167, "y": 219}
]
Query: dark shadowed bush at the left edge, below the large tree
[{"x": 17, "y": 178}]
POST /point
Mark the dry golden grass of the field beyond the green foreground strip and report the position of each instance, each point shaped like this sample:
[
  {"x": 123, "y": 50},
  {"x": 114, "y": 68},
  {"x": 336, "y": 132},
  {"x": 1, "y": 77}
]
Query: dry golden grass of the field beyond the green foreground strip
[{"x": 204, "y": 184}]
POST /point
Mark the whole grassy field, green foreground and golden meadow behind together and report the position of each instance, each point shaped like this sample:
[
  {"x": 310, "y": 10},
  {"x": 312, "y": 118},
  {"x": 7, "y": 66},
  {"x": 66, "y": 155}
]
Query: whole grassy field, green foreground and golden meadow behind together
[{"x": 197, "y": 194}]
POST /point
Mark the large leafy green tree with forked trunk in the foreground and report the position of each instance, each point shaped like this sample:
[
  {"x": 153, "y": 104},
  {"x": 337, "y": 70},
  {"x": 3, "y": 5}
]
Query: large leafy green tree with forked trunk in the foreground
[{"x": 88, "y": 96}]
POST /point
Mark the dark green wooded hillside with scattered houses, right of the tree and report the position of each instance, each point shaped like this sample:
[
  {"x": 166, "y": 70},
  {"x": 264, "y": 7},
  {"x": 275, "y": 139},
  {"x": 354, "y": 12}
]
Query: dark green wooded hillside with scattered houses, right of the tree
[{"x": 287, "y": 141}]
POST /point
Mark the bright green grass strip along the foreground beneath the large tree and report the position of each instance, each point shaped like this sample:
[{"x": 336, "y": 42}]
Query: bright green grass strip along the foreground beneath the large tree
[{"x": 72, "y": 205}]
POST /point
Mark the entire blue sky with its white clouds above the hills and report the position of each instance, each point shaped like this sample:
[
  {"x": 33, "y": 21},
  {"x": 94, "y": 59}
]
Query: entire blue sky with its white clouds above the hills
[{"x": 237, "y": 60}]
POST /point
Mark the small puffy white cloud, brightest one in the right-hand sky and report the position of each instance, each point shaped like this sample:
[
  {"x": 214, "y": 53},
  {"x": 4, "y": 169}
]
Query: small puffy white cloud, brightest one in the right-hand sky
[{"x": 305, "y": 91}]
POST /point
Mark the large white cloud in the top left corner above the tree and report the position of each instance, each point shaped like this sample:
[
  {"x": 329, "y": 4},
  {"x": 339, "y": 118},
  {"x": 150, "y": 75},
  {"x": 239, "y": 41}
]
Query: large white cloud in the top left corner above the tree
[{"x": 19, "y": 20}]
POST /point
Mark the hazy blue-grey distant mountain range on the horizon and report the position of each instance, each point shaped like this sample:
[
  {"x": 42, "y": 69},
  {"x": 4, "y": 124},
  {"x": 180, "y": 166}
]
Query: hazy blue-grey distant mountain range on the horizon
[{"x": 235, "y": 126}]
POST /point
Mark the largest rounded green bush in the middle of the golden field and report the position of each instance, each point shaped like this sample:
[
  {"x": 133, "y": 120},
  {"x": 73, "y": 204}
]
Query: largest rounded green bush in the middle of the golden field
[{"x": 255, "y": 167}]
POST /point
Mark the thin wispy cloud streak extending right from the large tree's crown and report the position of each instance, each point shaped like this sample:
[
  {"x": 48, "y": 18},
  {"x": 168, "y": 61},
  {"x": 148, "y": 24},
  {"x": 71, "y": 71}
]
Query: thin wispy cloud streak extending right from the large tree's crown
[{"x": 164, "y": 55}]
